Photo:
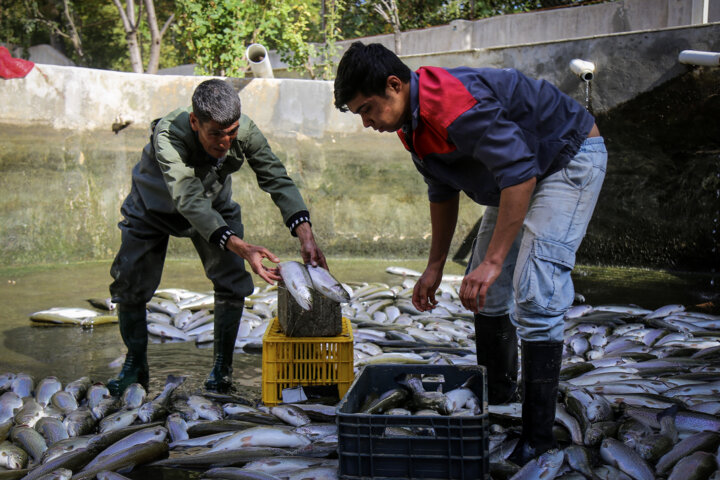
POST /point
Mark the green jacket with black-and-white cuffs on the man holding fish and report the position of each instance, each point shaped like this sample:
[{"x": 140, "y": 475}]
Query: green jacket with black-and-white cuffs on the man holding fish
[{"x": 176, "y": 179}]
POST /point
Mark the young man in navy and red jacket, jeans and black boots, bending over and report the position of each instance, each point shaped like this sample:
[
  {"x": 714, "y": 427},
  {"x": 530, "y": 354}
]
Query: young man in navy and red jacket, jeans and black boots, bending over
[{"x": 536, "y": 159}]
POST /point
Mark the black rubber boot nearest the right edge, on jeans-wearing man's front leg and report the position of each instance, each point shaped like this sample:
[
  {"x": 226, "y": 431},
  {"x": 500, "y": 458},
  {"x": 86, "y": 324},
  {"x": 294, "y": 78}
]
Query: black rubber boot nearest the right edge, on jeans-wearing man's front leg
[{"x": 541, "y": 375}]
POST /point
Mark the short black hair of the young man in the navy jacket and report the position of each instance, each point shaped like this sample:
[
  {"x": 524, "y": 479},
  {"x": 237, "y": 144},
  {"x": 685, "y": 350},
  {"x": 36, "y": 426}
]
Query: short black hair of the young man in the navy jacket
[{"x": 365, "y": 69}]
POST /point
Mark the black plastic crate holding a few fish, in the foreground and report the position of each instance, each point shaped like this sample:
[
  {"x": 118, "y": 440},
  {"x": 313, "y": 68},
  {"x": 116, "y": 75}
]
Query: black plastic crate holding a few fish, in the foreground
[{"x": 447, "y": 448}]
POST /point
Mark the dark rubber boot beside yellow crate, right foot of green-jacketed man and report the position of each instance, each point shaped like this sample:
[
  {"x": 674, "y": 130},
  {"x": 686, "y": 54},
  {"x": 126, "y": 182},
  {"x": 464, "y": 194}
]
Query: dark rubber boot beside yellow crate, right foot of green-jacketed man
[{"x": 227, "y": 320}]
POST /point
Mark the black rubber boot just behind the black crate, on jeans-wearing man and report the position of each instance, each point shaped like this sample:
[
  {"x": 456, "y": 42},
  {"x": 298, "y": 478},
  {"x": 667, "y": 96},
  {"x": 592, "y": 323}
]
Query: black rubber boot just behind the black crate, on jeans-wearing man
[{"x": 496, "y": 348}]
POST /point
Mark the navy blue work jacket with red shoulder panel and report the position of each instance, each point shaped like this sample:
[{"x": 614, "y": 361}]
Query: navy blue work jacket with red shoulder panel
[{"x": 481, "y": 130}]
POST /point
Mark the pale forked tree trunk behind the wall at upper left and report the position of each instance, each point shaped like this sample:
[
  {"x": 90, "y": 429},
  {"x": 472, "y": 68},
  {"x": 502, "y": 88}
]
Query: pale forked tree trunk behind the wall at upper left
[{"x": 131, "y": 18}]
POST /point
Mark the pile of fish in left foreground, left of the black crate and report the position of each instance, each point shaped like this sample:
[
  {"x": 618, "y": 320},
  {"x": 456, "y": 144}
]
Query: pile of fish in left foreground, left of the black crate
[{"x": 79, "y": 431}]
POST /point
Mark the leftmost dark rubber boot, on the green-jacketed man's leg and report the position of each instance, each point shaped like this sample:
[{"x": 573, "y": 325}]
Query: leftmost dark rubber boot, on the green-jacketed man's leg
[{"x": 133, "y": 330}]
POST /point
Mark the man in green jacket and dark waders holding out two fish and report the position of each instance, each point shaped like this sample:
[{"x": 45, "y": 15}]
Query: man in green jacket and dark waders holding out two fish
[{"x": 182, "y": 187}]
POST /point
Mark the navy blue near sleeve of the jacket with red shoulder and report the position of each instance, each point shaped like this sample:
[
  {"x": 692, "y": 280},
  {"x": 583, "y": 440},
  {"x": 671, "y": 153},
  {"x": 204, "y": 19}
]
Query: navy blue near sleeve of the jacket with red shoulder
[{"x": 485, "y": 133}]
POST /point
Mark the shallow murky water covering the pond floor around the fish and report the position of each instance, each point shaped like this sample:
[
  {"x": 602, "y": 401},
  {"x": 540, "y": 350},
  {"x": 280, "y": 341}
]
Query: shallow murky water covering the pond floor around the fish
[{"x": 72, "y": 352}]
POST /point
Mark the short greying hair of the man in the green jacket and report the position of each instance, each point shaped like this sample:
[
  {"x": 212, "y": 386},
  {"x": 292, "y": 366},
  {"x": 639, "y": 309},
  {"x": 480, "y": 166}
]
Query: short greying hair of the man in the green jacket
[{"x": 218, "y": 101}]
